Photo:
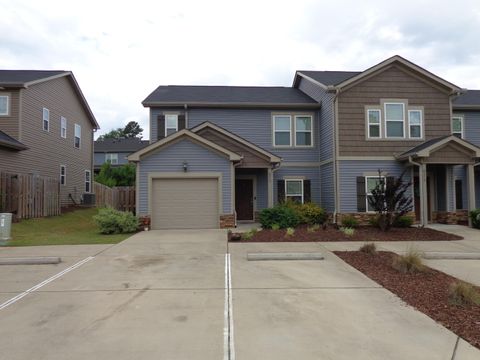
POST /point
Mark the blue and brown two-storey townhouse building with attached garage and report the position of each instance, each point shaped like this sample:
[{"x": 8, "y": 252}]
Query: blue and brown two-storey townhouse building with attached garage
[{"x": 219, "y": 154}]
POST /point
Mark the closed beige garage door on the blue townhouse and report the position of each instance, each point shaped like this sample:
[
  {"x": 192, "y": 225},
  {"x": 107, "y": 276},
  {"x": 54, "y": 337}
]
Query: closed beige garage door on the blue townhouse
[{"x": 185, "y": 203}]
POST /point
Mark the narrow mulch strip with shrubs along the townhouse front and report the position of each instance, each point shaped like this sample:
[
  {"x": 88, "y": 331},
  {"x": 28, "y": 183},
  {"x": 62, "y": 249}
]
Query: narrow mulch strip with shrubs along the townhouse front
[{"x": 362, "y": 233}]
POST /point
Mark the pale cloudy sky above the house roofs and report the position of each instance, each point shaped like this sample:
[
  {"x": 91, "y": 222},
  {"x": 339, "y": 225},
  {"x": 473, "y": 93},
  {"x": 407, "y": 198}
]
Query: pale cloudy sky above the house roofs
[{"x": 121, "y": 51}]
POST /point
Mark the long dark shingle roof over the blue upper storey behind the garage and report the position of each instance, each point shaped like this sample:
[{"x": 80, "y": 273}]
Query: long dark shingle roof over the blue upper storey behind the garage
[{"x": 228, "y": 95}]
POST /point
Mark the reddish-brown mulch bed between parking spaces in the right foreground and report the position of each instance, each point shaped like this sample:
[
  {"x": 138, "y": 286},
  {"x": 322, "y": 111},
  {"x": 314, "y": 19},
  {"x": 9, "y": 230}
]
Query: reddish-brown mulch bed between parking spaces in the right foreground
[{"x": 427, "y": 292}]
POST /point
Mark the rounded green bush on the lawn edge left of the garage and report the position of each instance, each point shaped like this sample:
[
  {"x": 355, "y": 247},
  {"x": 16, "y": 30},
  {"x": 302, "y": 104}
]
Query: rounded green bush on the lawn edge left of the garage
[{"x": 112, "y": 221}]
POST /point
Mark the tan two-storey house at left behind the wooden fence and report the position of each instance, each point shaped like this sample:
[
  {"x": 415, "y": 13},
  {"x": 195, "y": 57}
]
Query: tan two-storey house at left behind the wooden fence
[{"x": 46, "y": 129}]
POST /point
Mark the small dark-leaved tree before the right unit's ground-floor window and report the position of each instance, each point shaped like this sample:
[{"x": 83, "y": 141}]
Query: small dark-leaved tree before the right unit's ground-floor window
[{"x": 389, "y": 200}]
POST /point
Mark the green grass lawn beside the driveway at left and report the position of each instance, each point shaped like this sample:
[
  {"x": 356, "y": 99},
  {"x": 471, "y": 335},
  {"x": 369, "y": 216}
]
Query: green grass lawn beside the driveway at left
[{"x": 72, "y": 228}]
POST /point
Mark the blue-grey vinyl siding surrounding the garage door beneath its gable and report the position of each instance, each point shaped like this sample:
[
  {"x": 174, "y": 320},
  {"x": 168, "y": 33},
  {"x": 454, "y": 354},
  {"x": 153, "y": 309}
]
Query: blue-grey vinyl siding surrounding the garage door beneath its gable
[{"x": 171, "y": 158}]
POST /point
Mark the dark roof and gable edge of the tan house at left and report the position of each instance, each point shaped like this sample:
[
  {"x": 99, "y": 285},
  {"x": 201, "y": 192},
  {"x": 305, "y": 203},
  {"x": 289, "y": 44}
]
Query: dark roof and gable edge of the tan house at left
[{"x": 18, "y": 79}]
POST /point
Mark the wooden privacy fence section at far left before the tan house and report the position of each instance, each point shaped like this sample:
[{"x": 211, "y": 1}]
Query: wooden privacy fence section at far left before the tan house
[{"x": 28, "y": 195}]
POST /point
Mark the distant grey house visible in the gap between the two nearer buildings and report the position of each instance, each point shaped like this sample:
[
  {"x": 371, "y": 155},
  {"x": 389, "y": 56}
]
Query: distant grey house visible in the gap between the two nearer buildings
[{"x": 115, "y": 151}]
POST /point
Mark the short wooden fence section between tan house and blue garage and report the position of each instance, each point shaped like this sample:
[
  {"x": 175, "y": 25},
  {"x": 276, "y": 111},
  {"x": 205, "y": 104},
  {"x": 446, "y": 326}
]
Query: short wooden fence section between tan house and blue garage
[{"x": 119, "y": 197}]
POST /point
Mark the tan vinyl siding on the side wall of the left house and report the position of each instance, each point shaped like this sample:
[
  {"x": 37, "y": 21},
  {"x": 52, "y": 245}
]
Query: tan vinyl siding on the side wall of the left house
[{"x": 48, "y": 150}]
